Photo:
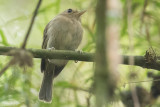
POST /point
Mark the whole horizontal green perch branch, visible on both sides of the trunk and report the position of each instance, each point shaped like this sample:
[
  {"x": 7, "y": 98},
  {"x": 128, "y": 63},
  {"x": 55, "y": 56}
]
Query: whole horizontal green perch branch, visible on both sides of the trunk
[{"x": 84, "y": 56}]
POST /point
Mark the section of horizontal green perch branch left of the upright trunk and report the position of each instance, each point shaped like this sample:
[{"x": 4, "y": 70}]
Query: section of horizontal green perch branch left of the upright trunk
[{"x": 53, "y": 54}]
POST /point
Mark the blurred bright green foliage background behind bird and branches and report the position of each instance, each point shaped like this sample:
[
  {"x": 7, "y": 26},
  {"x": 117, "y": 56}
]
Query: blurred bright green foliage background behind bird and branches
[{"x": 19, "y": 87}]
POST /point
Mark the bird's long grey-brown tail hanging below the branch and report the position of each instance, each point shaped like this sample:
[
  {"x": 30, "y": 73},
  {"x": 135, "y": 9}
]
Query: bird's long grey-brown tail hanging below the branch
[{"x": 45, "y": 93}]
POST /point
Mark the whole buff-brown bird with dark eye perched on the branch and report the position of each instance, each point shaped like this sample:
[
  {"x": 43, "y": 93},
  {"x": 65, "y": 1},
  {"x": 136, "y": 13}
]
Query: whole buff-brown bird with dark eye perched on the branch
[{"x": 63, "y": 32}]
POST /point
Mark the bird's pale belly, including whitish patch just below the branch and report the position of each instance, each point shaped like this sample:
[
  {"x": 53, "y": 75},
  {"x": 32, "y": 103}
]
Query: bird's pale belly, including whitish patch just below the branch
[{"x": 64, "y": 38}]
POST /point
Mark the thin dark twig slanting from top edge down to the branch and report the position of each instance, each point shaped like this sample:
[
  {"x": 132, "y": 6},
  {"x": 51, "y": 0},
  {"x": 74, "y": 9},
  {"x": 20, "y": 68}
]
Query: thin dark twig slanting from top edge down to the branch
[{"x": 31, "y": 24}]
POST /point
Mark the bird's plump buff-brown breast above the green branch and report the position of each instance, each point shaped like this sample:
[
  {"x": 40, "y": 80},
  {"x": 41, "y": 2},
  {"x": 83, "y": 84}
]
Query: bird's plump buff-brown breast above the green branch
[{"x": 66, "y": 35}]
